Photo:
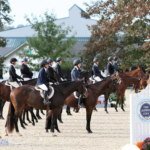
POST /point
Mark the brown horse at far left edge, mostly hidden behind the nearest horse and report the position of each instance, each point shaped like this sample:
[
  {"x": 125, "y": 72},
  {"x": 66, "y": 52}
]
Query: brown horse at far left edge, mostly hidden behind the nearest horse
[{"x": 5, "y": 96}]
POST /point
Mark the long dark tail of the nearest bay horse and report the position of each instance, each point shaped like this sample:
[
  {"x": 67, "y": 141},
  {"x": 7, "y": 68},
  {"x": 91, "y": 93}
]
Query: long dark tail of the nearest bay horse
[{"x": 10, "y": 118}]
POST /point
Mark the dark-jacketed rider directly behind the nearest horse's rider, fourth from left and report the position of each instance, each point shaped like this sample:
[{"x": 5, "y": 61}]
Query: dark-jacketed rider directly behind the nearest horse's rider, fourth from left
[{"x": 50, "y": 72}]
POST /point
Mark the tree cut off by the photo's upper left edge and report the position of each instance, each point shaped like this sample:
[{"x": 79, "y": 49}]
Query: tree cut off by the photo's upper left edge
[{"x": 5, "y": 18}]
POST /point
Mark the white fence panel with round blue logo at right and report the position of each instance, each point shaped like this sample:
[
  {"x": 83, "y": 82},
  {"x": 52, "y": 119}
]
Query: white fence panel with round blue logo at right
[{"x": 140, "y": 116}]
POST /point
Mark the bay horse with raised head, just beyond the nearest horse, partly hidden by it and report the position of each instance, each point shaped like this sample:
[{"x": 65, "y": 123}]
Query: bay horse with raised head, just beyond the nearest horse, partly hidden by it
[{"x": 94, "y": 91}]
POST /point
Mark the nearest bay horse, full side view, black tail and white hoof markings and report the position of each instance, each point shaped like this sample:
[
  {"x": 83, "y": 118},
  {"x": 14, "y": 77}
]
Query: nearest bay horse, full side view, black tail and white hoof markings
[{"x": 29, "y": 95}]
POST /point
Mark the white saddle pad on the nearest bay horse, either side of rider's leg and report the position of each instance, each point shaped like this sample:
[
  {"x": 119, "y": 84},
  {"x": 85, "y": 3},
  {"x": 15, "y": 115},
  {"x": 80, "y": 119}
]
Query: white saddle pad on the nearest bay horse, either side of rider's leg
[{"x": 50, "y": 91}]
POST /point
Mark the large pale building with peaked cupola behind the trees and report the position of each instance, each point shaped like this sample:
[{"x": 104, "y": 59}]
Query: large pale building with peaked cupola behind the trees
[{"x": 17, "y": 37}]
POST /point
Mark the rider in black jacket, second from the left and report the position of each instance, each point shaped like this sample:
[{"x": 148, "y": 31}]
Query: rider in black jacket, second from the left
[{"x": 25, "y": 71}]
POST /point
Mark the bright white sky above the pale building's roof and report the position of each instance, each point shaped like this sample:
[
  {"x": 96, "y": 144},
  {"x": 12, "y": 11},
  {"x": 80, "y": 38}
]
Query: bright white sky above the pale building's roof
[{"x": 20, "y": 8}]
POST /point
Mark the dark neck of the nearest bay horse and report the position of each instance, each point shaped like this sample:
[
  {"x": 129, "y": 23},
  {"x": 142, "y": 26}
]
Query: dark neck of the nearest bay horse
[{"x": 70, "y": 88}]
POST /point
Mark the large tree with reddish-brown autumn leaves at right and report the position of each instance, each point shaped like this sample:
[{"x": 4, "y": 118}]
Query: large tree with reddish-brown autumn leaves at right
[{"x": 126, "y": 20}]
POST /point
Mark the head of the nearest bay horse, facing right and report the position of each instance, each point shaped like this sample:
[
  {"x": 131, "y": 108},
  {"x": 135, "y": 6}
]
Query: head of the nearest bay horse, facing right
[{"x": 81, "y": 88}]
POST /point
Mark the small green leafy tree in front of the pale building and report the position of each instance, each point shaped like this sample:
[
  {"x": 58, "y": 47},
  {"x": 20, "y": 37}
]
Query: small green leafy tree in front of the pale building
[{"x": 50, "y": 40}]
